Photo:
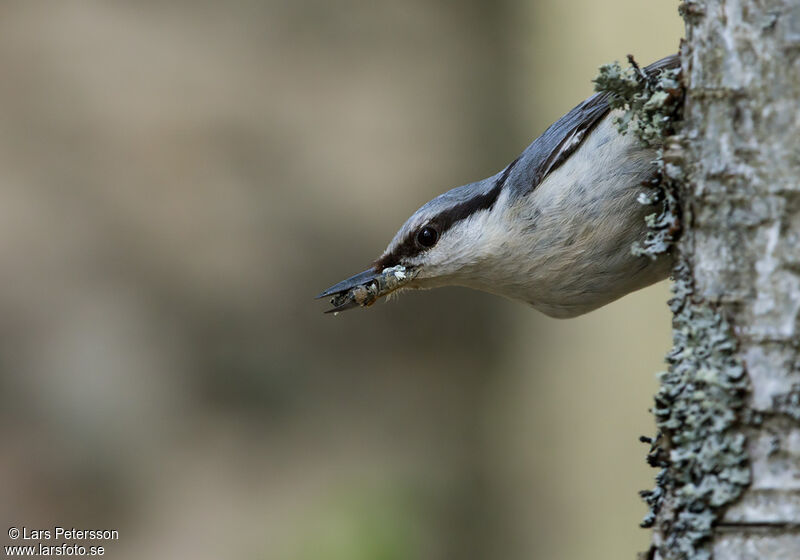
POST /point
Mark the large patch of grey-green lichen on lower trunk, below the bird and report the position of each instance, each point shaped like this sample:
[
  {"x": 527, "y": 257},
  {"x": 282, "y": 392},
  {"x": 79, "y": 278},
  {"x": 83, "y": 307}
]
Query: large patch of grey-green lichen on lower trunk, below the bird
[{"x": 700, "y": 404}]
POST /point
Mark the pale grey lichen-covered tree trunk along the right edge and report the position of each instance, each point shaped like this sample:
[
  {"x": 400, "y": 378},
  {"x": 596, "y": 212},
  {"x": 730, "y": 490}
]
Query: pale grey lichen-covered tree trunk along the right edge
[{"x": 729, "y": 408}]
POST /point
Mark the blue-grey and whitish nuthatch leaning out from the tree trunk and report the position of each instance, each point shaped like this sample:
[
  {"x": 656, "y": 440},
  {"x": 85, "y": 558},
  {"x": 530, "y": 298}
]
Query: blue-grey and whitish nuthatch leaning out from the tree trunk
[{"x": 553, "y": 229}]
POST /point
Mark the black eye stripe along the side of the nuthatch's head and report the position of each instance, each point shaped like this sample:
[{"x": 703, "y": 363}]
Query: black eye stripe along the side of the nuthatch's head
[{"x": 445, "y": 220}]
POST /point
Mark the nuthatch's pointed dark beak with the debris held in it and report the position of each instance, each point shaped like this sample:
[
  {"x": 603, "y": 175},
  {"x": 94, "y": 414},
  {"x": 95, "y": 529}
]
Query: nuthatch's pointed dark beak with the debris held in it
[{"x": 363, "y": 289}]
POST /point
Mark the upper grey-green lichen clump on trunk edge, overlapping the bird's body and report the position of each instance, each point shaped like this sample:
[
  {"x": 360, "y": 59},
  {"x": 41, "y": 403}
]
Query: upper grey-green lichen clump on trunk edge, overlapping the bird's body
[{"x": 651, "y": 106}]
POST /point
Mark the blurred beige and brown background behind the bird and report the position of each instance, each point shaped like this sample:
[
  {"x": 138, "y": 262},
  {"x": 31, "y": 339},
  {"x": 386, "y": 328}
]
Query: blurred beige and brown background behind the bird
[{"x": 179, "y": 179}]
